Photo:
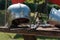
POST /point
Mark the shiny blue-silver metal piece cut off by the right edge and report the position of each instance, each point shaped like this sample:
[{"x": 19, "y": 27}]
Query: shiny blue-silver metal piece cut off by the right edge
[{"x": 55, "y": 14}]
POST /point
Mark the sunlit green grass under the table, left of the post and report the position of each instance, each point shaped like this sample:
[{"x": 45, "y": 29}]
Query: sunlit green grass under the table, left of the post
[{"x": 10, "y": 36}]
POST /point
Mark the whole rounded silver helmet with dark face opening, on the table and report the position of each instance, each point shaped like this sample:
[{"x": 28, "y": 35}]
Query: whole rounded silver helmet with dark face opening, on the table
[{"x": 17, "y": 14}]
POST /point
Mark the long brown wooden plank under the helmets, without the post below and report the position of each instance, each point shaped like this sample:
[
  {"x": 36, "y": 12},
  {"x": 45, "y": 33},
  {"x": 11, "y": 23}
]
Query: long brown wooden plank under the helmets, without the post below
[{"x": 43, "y": 32}]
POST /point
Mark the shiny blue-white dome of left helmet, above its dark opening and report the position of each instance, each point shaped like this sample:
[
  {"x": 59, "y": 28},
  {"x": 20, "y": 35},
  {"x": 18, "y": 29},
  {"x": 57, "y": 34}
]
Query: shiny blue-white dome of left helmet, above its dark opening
[{"x": 19, "y": 10}]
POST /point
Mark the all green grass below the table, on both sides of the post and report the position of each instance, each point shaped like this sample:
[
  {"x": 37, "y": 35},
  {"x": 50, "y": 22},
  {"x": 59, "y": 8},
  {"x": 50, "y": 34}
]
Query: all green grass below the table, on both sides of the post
[{"x": 13, "y": 36}]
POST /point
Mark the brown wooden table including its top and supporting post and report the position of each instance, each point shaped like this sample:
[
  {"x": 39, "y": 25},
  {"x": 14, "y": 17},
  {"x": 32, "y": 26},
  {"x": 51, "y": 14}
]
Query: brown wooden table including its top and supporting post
[{"x": 31, "y": 34}]
